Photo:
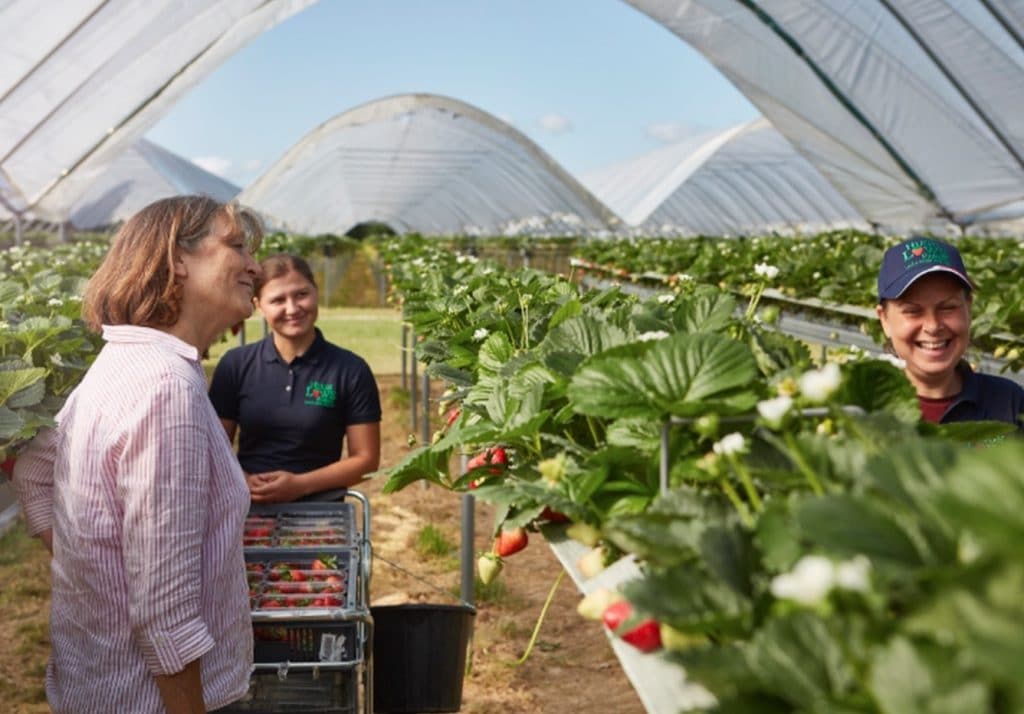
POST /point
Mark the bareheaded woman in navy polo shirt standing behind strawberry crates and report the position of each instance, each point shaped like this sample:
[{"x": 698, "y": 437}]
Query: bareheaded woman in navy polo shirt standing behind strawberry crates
[{"x": 294, "y": 398}]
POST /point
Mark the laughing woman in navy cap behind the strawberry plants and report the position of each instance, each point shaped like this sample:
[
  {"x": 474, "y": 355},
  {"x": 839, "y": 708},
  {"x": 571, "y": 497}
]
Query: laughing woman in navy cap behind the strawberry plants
[{"x": 925, "y": 301}]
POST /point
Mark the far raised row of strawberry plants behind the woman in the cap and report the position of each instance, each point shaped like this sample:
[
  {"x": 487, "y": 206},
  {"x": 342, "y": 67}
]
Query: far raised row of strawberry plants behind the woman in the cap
[{"x": 838, "y": 268}]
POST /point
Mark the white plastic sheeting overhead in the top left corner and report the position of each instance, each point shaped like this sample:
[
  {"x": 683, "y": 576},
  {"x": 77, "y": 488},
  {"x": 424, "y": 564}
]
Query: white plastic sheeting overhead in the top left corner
[{"x": 80, "y": 80}]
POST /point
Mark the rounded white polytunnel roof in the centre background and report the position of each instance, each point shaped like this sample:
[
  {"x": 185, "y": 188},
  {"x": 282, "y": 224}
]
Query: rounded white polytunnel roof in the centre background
[{"x": 424, "y": 163}]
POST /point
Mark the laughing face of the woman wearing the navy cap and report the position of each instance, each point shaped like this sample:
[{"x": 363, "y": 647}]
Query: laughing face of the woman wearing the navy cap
[{"x": 930, "y": 326}]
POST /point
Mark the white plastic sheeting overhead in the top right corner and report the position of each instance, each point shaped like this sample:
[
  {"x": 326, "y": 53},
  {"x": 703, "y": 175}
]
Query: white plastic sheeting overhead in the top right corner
[{"x": 912, "y": 109}]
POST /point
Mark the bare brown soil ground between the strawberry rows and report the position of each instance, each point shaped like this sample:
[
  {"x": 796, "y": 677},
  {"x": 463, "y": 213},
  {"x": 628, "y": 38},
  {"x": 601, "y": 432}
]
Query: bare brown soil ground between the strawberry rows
[{"x": 571, "y": 669}]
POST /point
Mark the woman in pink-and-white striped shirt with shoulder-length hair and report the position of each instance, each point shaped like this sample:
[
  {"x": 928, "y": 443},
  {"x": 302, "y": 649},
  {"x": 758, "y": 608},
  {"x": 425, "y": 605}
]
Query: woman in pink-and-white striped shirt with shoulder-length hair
[{"x": 137, "y": 491}]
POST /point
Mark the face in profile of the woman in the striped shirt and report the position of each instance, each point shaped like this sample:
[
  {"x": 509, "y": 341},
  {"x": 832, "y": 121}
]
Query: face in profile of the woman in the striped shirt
[{"x": 219, "y": 277}]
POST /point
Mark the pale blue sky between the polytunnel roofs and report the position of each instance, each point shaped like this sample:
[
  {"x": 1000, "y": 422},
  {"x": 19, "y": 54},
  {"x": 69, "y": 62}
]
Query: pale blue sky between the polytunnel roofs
[{"x": 592, "y": 82}]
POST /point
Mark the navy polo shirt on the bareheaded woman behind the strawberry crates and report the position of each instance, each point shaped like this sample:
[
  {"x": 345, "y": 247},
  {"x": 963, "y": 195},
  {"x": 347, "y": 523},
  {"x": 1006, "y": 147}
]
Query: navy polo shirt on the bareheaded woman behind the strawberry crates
[{"x": 293, "y": 416}]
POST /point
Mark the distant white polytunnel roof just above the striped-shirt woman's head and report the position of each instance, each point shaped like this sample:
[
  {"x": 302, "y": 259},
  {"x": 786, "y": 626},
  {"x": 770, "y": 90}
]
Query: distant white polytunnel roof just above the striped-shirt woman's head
[{"x": 141, "y": 175}]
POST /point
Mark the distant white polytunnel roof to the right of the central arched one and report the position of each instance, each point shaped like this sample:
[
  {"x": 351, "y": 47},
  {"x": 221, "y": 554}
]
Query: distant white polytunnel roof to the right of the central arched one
[{"x": 743, "y": 181}]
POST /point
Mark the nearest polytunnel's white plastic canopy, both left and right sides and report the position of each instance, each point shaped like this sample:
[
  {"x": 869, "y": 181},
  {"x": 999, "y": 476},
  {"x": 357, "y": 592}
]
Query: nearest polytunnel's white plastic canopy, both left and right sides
[{"x": 910, "y": 109}]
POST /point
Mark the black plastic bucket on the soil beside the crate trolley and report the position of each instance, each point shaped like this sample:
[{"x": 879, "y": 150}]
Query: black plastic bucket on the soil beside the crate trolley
[{"x": 420, "y": 657}]
